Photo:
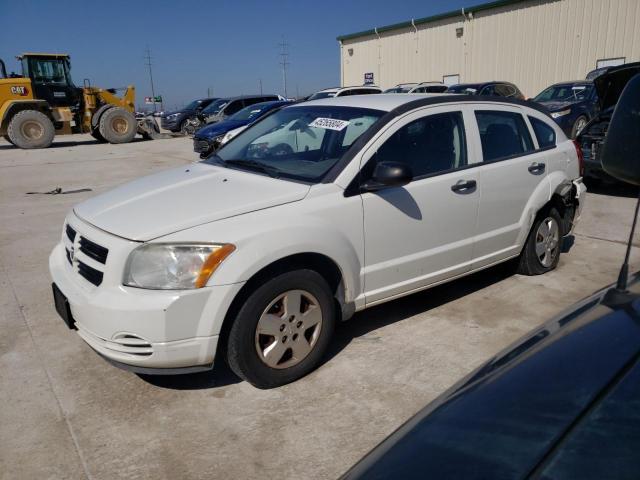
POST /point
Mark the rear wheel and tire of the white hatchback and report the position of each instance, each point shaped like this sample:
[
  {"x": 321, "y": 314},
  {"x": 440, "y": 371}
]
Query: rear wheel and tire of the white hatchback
[{"x": 535, "y": 258}]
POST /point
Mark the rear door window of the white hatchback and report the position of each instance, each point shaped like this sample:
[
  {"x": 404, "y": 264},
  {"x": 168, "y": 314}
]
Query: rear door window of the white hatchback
[{"x": 503, "y": 134}]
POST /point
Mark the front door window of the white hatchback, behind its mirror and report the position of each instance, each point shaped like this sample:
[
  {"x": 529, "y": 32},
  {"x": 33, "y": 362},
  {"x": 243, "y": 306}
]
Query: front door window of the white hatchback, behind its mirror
[{"x": 429, "y": 145}]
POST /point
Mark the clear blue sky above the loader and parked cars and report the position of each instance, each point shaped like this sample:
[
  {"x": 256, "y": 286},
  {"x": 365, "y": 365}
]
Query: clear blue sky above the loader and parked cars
[{"x": 224, "y": 45}]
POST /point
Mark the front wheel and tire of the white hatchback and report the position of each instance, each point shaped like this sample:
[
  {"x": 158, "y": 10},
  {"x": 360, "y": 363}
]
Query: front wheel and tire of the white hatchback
[{"x": 267, "y": 360}]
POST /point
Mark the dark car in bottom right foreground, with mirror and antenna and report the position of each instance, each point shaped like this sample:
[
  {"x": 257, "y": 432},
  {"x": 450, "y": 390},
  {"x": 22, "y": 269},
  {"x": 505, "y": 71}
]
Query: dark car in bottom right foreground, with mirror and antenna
[{"x": 562, "y": 403}]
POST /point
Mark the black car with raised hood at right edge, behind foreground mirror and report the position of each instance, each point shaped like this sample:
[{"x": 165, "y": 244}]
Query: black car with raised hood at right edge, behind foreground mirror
[{"x": 609, "y": 87}]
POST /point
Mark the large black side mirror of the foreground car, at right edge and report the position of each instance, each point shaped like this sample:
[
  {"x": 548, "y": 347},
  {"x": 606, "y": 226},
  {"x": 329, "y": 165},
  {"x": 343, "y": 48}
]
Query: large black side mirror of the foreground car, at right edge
[{"x": 620, "y": 155}]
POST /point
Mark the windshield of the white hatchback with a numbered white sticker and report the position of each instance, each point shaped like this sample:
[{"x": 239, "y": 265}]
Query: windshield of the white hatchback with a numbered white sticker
[{"x": 300, "y": 143}]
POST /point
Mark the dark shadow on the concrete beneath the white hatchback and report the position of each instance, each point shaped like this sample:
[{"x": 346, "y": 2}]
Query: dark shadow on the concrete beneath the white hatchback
[{"x": 361, "y": 324}]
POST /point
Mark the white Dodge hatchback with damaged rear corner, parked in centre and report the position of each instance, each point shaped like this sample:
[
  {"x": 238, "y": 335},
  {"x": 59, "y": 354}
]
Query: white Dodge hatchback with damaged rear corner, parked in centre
[{"x": 315, "y": 212}]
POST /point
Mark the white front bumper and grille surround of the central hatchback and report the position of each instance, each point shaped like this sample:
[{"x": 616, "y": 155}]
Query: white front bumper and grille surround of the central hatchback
[{"x": 141, "y": 329}]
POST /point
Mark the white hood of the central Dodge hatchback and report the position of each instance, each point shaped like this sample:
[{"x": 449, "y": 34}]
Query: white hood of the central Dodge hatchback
[{"x": 184, "y": 197}]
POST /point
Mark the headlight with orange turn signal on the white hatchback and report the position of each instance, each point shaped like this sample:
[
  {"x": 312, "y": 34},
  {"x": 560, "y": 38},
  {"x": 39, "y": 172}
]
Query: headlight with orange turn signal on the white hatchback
[{"x": 173, "y": 266}]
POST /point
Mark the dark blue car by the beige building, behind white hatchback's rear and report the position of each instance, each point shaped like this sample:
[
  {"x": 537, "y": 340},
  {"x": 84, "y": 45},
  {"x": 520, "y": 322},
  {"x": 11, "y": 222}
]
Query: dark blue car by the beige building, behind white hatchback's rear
[{"x": 570, "y": 104}]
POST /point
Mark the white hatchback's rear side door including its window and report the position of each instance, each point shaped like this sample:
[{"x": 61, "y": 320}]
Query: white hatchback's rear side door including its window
[{"x": 512, "y": 181}]
